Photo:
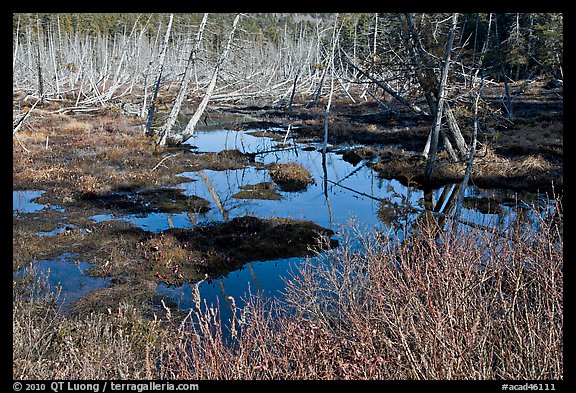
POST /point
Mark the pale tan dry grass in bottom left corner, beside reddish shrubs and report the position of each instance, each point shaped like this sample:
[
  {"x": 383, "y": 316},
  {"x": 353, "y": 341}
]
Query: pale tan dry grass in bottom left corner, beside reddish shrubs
[{"x": 47, "y": 345}]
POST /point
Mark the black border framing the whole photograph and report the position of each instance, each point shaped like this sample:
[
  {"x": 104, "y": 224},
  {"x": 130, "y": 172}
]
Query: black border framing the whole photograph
[{"x": 366, "y": 6}]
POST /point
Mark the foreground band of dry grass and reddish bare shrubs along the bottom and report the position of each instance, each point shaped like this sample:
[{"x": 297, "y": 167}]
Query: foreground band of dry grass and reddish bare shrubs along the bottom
[{"x": 466, "y": 304}]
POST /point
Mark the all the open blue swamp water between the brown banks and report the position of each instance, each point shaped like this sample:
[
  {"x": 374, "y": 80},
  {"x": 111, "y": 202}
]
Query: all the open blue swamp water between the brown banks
[{"x": 352, "y": 193}]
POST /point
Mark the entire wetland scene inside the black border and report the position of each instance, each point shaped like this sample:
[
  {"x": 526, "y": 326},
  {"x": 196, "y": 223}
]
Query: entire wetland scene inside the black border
[{"x": 287, "y": 196}]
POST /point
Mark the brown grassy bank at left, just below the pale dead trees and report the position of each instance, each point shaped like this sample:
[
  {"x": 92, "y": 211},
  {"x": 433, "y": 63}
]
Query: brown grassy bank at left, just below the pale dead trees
[{"x": 100, "y": 159}]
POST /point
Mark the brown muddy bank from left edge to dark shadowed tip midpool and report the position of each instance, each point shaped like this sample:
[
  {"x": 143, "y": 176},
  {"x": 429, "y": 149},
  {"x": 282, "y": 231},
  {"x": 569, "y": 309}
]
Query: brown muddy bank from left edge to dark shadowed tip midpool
[{"x": 138, "y": 260}]
